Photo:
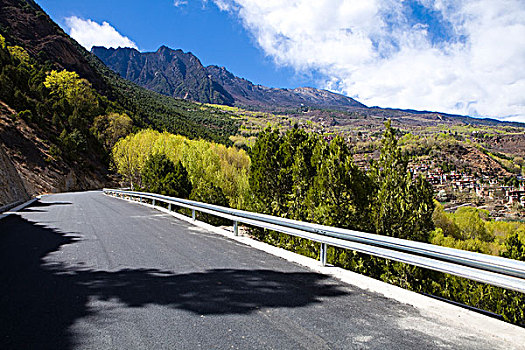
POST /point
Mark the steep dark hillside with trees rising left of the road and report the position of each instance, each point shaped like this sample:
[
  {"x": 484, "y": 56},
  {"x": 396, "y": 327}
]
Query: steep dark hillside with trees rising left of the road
[{"x": 53, "y": 136}]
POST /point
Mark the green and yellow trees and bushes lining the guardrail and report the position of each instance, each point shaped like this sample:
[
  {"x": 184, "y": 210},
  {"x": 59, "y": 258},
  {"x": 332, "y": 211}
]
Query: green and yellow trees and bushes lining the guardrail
[{"x": 300, "y": 175}]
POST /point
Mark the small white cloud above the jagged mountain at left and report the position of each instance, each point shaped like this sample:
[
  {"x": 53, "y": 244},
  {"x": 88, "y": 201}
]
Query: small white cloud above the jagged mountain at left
[{"x": 89, "y": 33}]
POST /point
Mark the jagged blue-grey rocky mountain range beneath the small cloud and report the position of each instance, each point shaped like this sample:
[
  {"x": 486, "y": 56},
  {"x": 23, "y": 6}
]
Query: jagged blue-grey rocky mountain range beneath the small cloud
[{"x": 179, "y": 74}]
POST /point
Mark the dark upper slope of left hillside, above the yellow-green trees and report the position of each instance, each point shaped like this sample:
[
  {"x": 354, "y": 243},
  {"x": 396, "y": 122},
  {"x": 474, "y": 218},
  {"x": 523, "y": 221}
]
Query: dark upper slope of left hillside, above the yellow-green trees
[{"x": 23, "y": 23}]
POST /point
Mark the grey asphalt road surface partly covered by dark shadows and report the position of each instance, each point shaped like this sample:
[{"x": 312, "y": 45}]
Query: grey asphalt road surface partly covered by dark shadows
[{"x": 86, "y": 271}]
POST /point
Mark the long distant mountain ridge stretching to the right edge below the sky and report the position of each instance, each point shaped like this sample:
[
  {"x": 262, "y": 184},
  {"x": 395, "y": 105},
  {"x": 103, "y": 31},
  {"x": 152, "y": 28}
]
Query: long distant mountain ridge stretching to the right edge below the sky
[{"x": 226, "y": 88}]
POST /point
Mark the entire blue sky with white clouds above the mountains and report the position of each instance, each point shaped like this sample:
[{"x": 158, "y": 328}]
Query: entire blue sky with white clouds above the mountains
[{"x": 454, "y": 56}]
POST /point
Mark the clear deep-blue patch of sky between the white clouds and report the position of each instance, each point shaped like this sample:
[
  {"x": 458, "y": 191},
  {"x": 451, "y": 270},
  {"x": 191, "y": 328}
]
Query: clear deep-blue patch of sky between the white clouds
[{"x": 215, "y": 37}]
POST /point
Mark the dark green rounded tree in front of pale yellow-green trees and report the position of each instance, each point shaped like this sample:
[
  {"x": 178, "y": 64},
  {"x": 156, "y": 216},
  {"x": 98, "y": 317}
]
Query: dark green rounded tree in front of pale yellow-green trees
[{"x": 161, "y": 175}]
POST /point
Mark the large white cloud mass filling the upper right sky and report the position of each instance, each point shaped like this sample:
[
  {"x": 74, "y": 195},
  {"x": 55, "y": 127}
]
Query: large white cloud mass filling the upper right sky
[{"x": 375, "y": 51}]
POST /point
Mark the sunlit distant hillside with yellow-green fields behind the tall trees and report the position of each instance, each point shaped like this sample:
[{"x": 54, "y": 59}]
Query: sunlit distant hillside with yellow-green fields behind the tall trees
[{"x": 477, "y": 146}]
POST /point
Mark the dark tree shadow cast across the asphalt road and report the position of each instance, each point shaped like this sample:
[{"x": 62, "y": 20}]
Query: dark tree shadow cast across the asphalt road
[{"x": 40, "y": 299}]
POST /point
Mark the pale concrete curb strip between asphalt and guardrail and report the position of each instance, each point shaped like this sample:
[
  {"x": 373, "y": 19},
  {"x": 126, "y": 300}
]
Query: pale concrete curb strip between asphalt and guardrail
[{"x": 448, "y": 315}]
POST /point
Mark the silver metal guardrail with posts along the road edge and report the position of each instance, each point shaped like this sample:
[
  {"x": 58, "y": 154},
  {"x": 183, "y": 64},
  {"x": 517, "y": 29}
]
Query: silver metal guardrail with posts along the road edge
[{"x": 506, "y": 273}]
